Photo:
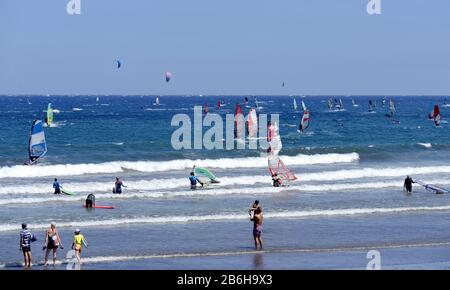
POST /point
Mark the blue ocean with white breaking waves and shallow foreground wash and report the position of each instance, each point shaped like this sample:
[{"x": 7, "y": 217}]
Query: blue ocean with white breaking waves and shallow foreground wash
[{"x": 348, "y": 198}]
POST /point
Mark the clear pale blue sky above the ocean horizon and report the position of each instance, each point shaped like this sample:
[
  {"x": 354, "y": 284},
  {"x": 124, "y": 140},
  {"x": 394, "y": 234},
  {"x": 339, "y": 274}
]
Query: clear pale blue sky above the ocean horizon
[{"x": 316, "y": 47}]
